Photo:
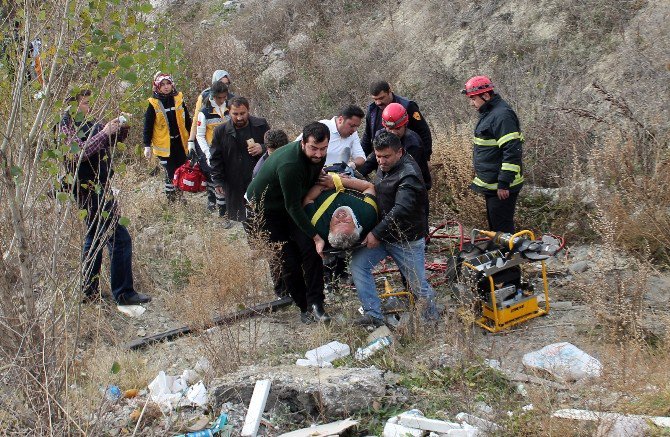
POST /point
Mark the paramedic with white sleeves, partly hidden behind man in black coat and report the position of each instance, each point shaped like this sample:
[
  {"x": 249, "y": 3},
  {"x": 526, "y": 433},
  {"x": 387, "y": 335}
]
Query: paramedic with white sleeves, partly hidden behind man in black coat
[{"x": 213, "y": 114}]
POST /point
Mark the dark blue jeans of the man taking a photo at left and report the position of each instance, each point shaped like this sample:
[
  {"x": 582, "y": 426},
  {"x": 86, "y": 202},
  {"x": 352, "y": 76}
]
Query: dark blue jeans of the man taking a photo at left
[{"x": 108, "y": 232}]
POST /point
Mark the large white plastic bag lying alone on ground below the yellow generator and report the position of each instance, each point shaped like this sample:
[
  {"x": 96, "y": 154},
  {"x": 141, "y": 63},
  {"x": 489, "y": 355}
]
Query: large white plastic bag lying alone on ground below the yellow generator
[{"x": 564, "y": 361}]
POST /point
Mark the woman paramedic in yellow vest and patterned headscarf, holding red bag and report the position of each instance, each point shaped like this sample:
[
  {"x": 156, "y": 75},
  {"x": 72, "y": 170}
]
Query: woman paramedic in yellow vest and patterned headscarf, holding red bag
[{"x": 166, "y": 125}]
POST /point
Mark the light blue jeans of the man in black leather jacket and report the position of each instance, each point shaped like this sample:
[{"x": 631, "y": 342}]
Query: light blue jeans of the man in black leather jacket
[{"x": 410, "y": 258}]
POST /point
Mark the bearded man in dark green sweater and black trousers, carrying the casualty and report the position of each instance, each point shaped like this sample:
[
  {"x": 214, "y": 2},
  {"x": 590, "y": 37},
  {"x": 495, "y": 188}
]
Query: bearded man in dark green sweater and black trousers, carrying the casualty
[{"x": 276, "y": 195}]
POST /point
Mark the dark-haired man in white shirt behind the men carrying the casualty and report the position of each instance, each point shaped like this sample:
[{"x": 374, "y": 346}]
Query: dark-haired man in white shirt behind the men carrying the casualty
[{"x": 344, "y": 145}]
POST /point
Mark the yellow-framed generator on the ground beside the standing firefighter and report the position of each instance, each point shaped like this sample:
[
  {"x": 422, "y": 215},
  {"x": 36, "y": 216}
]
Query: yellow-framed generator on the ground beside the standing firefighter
[{"x": 492, "y": 266}]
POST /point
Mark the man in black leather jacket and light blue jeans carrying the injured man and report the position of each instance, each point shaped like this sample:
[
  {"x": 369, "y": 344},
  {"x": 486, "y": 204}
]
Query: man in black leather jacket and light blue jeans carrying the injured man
[{"x": 401, "y": 194}]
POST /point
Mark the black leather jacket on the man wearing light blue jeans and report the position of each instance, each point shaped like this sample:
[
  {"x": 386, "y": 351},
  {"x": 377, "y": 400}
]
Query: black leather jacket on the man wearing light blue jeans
[{"x": 401, "y": 197}]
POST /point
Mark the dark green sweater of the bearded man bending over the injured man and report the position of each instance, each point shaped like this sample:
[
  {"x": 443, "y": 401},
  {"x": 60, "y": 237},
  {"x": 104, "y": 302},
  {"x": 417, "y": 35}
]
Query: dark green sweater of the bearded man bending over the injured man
[{"x": 283, "y": 182}]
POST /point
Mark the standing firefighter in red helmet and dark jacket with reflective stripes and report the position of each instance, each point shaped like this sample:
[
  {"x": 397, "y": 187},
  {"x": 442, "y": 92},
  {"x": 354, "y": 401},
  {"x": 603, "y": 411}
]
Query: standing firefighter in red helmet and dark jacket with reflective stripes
[{"x": 497, "y": 153}]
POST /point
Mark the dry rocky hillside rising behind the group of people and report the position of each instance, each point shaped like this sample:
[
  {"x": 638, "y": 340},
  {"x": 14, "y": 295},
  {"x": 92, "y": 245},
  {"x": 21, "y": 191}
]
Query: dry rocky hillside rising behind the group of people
[{"x": 301, "y": 60}]
